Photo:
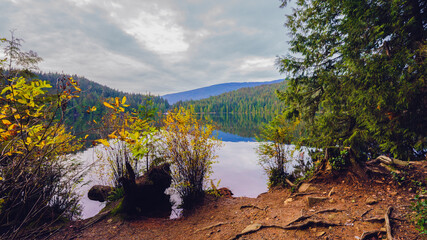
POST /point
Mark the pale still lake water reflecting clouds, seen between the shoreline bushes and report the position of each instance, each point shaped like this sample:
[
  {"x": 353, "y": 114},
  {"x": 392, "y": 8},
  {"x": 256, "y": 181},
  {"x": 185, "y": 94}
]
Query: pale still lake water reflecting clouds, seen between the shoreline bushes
[{"x": 236, "y": 167}]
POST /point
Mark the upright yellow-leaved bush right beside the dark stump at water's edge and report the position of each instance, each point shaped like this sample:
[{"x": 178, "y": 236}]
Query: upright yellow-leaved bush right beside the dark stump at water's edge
[{"x": 191, "y": 150}]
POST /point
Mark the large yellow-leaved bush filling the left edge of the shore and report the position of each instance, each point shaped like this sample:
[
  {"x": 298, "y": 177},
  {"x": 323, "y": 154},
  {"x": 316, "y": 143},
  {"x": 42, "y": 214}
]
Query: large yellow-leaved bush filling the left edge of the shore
[{"x": 37, "y": 177}]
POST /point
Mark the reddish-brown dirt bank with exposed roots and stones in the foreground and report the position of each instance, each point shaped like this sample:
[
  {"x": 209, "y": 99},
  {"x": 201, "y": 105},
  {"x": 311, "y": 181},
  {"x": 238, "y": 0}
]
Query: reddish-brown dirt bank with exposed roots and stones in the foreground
[{"x": 343, "y": 214}]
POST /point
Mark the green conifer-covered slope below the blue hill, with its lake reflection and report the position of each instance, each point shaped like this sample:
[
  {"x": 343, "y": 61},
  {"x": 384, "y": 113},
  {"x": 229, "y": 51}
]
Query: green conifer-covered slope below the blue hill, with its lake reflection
[{"x": 241, "y": 112}]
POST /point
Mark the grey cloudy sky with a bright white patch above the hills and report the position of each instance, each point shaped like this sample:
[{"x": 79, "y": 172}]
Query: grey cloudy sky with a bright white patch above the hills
[{"x": 156, "y": 46}]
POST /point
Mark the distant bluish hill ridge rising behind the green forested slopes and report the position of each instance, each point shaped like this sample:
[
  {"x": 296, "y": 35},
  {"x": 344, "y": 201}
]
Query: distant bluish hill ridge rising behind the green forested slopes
[{"x": 214, "y": 90}]
